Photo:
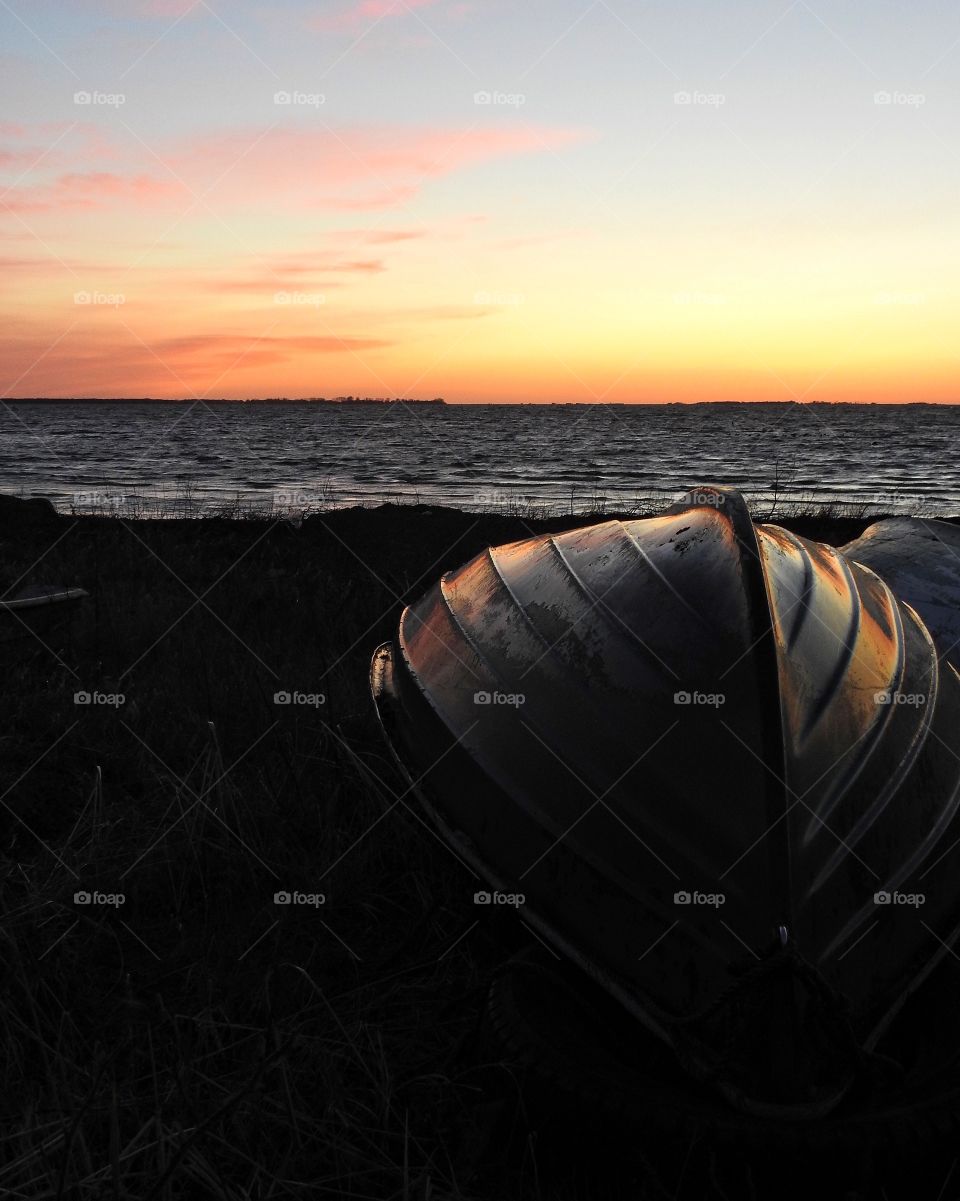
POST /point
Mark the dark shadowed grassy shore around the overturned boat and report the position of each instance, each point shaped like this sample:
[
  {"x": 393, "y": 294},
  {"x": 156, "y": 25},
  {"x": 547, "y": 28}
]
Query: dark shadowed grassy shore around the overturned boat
[{"x": 199, "y": 1041}]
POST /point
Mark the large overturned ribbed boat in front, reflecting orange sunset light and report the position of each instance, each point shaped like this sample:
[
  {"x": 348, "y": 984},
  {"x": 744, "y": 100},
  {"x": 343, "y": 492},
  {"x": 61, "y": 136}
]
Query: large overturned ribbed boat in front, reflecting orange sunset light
[{"x": 717, "y": 762}]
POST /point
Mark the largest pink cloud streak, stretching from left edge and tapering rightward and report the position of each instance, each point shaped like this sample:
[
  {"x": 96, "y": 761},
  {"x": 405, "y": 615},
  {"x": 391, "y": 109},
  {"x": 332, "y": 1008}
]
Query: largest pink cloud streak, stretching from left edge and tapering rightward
[{"x": 287, "y": 169}]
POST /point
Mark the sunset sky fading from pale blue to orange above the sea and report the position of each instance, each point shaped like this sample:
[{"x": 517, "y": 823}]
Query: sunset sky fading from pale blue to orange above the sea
[{"x": 539, "y": 200}]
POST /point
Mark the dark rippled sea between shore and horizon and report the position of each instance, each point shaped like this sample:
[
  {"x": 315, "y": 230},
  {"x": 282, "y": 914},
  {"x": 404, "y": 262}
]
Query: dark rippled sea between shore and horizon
[{"x": 181, "y": 458}]
